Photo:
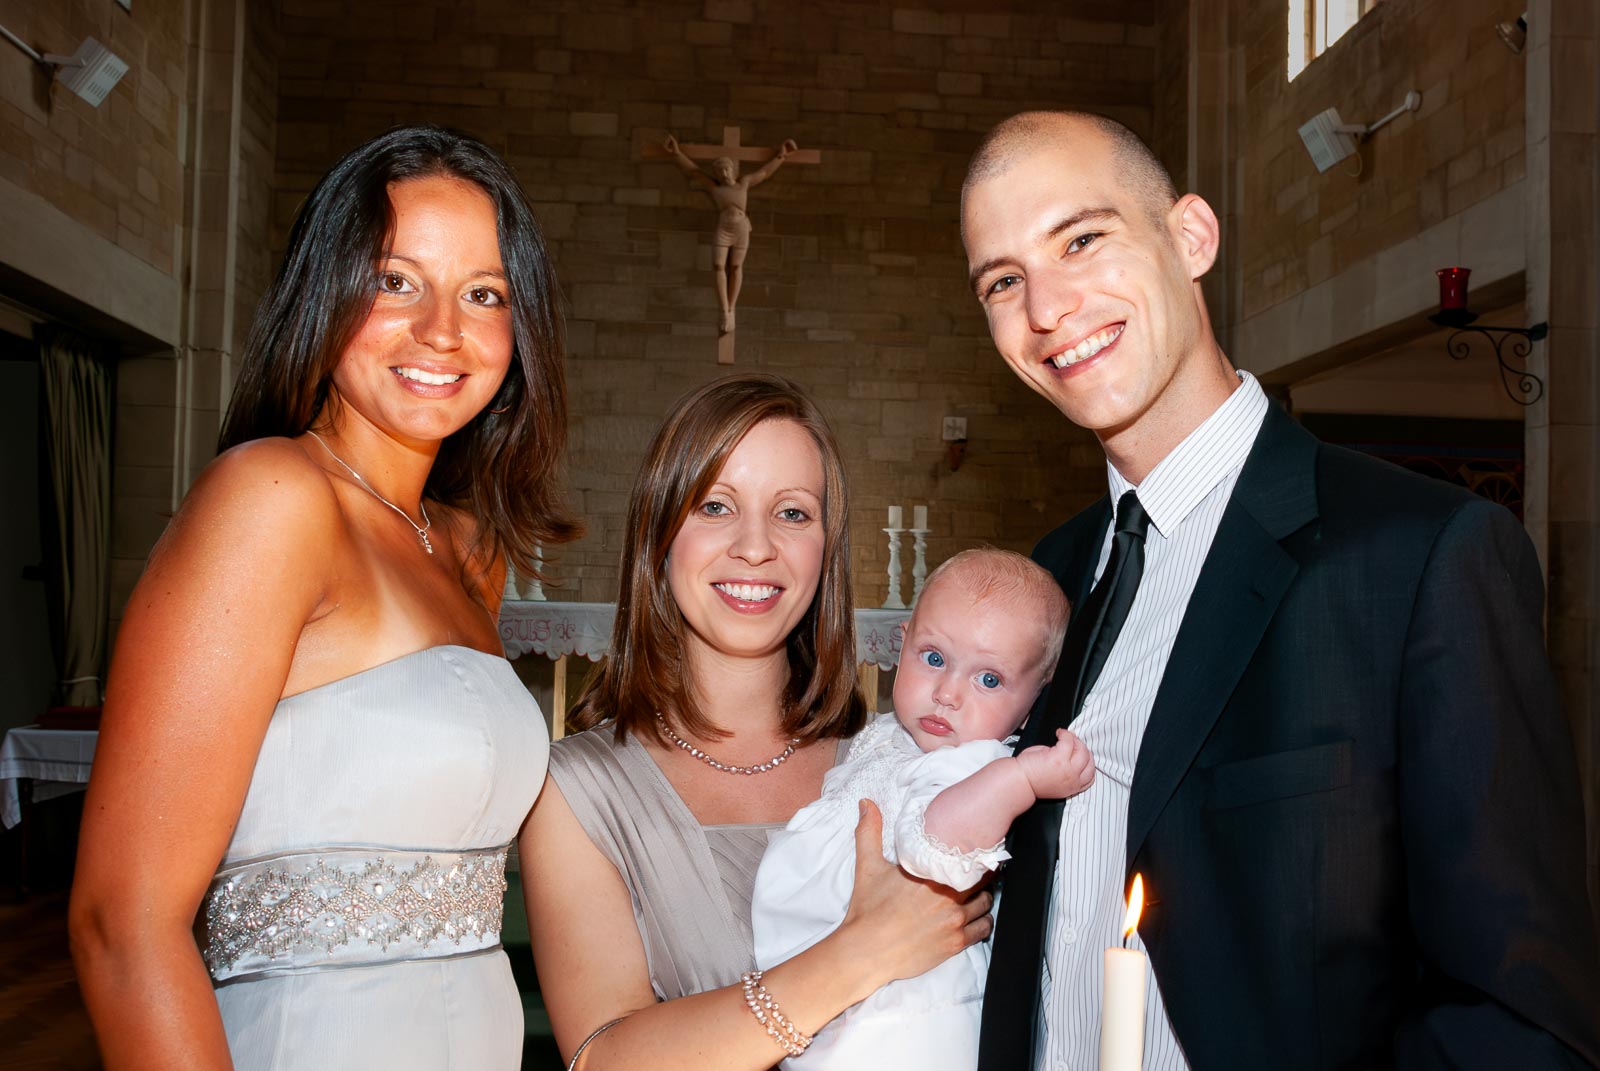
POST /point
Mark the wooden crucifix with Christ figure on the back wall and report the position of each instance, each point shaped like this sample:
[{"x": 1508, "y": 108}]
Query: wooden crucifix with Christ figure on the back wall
[{"x": 730, "y": 195}]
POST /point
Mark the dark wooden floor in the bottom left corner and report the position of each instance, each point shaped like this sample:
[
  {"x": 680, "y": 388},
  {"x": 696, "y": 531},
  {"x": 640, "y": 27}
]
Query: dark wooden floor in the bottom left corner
[{"x": 42, "y": 1017}]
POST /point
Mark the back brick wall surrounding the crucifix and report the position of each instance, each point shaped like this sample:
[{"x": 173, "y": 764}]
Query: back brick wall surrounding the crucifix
[{"x": 855, "y": 278}]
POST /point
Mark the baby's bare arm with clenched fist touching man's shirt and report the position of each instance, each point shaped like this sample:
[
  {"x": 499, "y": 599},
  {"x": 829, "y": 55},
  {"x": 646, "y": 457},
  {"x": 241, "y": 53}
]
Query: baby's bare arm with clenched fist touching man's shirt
[{"x": 977, "y": 812}]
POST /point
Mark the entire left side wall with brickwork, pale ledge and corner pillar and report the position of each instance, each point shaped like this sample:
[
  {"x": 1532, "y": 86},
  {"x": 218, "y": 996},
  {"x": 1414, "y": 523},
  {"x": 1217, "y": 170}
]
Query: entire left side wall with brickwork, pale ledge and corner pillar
[{"x": 159, "y": 231}]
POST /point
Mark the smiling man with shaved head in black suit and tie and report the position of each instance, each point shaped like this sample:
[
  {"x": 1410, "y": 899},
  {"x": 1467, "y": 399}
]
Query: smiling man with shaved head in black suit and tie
[{"x": 1314, "y": 686}]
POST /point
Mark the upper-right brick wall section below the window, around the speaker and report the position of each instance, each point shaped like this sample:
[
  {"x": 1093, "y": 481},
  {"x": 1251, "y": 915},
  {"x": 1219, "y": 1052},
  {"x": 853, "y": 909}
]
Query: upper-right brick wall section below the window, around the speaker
[{"x": 1463, "y": 146}]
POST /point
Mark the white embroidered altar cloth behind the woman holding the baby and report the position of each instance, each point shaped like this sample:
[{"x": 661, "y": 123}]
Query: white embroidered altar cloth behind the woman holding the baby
[{"x": 585, "y": 628}]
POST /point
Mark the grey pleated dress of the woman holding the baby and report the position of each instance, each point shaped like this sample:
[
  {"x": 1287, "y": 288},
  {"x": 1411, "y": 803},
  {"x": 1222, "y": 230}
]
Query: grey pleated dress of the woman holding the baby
[{"x": 690, "y": 884}]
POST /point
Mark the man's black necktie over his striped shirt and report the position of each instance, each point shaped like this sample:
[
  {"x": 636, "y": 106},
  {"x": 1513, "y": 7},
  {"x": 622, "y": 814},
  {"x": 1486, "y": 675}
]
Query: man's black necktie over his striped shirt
[{"x": 1010, "y": 1016}]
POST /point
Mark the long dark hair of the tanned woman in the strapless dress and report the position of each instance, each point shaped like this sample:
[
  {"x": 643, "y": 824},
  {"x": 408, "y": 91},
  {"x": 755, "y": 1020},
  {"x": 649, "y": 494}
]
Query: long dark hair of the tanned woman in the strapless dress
[{"x": 503, "y": 467}]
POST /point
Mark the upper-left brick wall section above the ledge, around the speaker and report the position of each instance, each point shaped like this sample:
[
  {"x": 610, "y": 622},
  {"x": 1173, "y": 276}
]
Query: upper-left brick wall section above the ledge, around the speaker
[{"x": 114, "y": 169}]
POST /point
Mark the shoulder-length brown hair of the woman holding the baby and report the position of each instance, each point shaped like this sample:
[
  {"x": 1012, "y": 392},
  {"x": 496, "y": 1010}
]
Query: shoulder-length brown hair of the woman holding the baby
[{"x": 646, "y": 670}]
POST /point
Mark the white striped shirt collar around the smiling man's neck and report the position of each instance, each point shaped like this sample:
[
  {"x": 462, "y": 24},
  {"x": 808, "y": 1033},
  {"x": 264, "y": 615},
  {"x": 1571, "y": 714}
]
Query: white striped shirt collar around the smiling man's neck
[{"x": 1201, "y": 462}]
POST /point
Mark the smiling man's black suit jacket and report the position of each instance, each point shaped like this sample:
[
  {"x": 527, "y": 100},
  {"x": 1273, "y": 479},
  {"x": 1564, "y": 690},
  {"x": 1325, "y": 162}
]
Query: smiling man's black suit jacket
[{"x": 1356, "y": 804}]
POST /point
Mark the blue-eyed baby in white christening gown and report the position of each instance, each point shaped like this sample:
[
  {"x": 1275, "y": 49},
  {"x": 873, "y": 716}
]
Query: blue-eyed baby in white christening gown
[{"x": 978, "y": 651}]
